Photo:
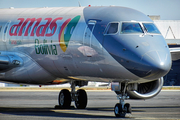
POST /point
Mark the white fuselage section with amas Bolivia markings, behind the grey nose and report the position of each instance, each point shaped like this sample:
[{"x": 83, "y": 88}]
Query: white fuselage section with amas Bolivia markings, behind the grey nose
[{"x": 56, "y": 43}]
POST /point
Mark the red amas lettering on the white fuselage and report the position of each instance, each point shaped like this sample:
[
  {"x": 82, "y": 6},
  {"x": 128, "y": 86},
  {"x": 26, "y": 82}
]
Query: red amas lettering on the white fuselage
[{"x": 38, "y": 30}]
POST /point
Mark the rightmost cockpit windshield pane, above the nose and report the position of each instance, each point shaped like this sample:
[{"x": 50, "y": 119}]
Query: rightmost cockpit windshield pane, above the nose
[{"x": 151, "y": 28}]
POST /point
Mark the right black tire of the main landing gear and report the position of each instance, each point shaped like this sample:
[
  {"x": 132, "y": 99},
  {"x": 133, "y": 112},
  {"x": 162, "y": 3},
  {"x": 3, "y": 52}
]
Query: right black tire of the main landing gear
[{"x": 81, "y": 100}]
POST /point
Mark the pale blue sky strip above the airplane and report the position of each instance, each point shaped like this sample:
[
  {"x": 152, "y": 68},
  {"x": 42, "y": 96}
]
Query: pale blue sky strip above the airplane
[{"x": 167, "y": 9}]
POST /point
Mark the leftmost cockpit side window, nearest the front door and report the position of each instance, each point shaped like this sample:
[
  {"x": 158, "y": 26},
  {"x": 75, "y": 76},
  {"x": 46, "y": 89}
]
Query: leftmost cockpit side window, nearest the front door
[{"x": 112, "y": 28}]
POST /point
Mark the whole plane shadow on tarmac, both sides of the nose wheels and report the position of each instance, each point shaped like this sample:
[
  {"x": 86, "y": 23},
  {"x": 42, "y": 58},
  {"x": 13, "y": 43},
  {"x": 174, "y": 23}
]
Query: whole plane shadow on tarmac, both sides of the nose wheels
[{"x": 71, "y": 113}]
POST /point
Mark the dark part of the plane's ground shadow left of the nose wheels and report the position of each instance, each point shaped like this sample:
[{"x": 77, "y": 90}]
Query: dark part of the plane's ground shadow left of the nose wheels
[{"x": 51, "y": 112}]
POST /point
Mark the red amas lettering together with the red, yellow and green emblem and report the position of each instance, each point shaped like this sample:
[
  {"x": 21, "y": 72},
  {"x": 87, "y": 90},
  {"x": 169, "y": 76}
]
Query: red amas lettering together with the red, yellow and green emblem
[{"x": 35, "y": 28}]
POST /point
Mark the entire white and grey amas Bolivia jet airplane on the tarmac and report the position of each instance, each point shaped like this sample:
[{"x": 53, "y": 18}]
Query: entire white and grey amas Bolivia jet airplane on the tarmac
[{"x": 113, "y": 44}]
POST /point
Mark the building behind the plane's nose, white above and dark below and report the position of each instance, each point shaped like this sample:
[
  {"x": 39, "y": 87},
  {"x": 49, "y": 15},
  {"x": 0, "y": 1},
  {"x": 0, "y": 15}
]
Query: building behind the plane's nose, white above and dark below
[{"x": 170, "y": 29}]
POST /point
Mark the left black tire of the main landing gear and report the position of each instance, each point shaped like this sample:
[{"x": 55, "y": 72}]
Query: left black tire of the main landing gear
[{"x": 64, "y": 99}]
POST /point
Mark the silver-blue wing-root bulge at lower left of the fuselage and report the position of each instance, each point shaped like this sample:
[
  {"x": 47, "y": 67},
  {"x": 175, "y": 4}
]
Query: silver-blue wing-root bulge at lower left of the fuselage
[{"x": 22, "y": 69}]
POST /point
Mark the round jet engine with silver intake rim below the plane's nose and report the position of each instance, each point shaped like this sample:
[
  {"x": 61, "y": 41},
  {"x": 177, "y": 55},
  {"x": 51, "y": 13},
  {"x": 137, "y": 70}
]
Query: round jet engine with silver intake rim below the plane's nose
[{"x": 146, "y": 90}]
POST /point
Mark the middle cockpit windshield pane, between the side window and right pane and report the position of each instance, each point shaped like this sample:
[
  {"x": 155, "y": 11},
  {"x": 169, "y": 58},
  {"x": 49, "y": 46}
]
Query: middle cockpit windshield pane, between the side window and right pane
[{"x": 131, "y": 27}]
